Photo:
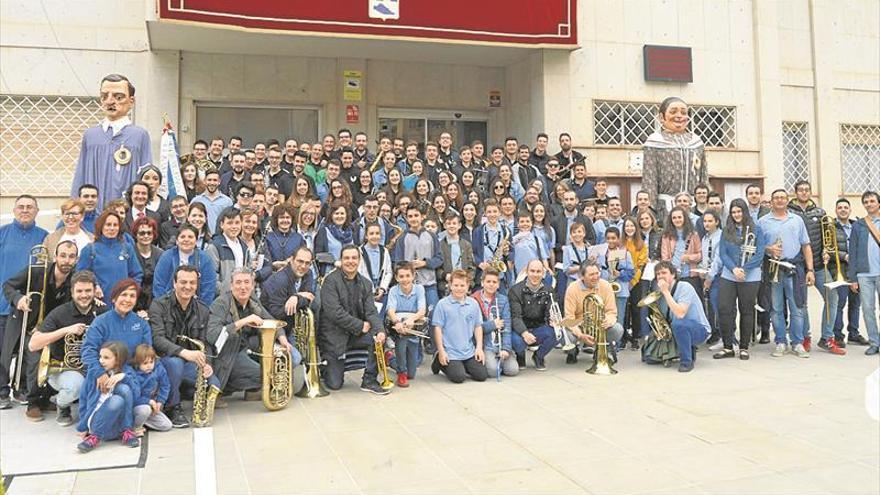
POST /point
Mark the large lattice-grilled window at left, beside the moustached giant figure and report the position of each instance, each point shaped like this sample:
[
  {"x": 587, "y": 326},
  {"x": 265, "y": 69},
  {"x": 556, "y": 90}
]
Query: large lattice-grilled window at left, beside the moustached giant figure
[{"x": 40, "y": 139}]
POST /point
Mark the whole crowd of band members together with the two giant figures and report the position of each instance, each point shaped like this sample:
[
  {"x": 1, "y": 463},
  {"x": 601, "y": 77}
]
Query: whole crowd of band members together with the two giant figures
[{"x": 467, "y": 257}]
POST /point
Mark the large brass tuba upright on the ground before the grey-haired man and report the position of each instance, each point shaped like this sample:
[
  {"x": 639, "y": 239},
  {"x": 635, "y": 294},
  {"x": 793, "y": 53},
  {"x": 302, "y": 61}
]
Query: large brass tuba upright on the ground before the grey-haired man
[{"x": 276, "y": 364}]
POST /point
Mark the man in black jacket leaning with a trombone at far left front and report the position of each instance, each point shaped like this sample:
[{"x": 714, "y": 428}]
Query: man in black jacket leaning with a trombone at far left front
[{"x": 16, "y": 290}]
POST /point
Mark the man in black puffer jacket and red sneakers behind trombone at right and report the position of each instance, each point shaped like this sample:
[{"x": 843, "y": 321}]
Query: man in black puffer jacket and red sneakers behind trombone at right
[{"x": 812, "y": 214}]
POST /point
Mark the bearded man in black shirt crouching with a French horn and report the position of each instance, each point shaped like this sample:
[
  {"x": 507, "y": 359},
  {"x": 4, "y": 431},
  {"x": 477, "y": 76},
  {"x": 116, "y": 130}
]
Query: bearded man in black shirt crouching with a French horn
[{"x": 71, "y": 318}]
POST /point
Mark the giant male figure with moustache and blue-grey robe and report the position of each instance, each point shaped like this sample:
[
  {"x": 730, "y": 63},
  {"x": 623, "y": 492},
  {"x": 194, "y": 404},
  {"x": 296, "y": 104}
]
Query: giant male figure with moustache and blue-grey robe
[{"x": 112, "y": 152}]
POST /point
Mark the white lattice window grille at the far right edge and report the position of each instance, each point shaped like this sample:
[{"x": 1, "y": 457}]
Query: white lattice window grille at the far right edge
[{"x": 860, "y": 157}]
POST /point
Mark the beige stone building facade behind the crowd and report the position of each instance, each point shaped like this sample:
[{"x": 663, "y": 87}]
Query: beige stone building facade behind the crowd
[{"x": 781, "y": 90}]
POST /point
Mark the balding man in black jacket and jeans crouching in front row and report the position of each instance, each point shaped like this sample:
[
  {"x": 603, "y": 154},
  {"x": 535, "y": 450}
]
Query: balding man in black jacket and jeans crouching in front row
[{"x": 529, "y": 314}]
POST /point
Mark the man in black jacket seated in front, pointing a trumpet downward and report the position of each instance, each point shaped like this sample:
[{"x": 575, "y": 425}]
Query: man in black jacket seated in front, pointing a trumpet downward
[{"x": 349, "y": 320}]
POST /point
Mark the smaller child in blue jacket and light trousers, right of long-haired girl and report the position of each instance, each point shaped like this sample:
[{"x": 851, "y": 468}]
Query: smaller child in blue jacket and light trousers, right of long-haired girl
[{"x": 154, "y": 384}]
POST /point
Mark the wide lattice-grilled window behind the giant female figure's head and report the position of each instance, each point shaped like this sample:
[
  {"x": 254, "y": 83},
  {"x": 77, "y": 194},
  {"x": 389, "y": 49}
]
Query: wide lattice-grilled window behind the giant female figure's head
[{"x": 629, "y": 124}]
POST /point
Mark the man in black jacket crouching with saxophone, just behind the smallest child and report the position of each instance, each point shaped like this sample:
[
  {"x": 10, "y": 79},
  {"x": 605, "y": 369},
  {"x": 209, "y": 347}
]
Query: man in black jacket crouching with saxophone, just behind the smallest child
[{"x": 173, "y": 315}]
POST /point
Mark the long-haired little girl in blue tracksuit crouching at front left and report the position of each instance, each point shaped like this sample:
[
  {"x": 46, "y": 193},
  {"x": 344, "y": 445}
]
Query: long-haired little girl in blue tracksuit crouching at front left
[{"x": 108, "y": 415}]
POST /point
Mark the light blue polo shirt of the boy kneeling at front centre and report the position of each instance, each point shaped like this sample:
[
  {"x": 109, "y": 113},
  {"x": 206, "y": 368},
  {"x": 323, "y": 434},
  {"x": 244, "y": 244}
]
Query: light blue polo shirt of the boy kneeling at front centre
[{"x": 457, "y": 319}]
